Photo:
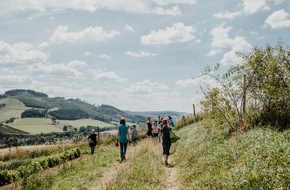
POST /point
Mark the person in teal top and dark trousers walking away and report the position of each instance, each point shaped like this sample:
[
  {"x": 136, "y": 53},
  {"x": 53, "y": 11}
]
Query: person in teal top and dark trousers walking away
[{"x": 123, "y": 138}]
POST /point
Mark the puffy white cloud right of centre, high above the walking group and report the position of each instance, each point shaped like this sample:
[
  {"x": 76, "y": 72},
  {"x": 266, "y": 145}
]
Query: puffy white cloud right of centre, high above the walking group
[{"x": 178, "y": 33}]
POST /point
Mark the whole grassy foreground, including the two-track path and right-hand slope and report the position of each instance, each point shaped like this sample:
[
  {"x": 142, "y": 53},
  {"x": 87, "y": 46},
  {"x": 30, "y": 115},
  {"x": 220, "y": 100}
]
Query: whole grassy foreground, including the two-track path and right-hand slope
[{"x": 205, "y": 158}]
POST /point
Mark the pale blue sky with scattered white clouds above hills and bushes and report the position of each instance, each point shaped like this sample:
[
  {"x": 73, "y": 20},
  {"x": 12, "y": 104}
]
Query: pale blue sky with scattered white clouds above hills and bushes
[{"x": 136, "y": 55}]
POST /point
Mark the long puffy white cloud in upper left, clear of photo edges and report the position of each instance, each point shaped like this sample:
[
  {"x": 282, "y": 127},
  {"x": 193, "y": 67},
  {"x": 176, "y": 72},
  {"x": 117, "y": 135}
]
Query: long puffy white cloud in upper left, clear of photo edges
[{"x": 97, "y": 34}]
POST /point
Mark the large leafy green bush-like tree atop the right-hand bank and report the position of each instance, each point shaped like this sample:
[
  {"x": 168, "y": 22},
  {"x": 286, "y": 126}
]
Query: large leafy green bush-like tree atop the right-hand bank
[{"x": 256, "y": 91}]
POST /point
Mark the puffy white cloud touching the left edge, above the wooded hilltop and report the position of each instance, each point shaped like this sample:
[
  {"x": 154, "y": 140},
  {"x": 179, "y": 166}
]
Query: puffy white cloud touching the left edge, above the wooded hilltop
[{"x": 20, "y": 53}]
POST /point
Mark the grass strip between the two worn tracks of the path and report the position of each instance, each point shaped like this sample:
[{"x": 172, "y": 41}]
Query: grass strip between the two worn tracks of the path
[{"x": 144, "y": 169}]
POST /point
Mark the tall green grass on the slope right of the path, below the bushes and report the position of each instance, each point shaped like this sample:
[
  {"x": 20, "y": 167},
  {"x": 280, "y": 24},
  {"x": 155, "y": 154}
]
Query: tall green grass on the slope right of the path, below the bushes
[{"x": 258, "y": 159}]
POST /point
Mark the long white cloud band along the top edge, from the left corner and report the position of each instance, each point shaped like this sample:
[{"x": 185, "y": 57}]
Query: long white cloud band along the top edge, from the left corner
[{"x": 50, "y": 7}]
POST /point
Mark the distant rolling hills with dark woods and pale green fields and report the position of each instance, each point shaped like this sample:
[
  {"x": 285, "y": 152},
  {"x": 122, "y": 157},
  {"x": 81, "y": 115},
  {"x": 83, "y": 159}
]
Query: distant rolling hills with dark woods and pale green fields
[{"x": 33, "y": 112}]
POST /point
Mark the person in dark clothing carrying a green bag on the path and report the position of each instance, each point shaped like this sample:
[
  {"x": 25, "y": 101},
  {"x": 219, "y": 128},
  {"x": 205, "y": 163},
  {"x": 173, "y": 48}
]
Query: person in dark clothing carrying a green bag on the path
[{"x": 166, "y": 142}]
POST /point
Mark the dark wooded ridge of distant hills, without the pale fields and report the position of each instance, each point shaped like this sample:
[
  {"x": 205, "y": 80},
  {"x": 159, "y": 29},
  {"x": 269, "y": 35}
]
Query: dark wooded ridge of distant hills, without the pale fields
[{"x": 72, "y": 109}]
